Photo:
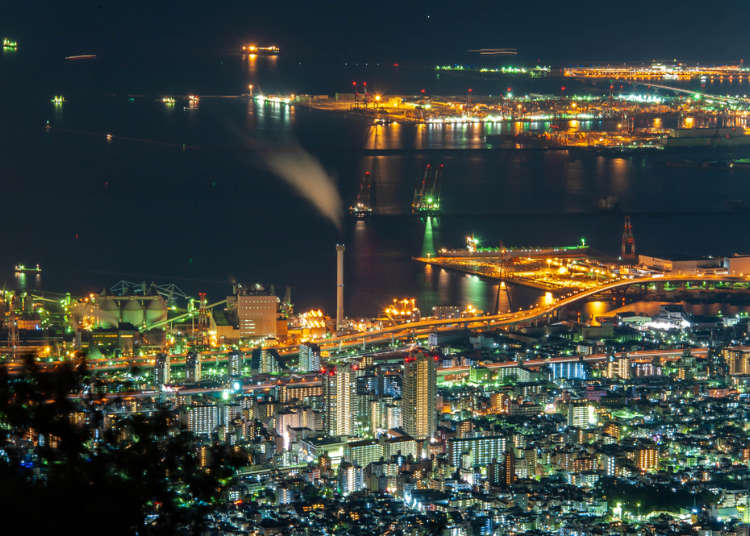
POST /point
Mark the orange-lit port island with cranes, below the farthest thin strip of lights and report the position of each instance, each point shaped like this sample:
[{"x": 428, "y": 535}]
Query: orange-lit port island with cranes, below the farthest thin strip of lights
[{"x": 613, "y": 121}]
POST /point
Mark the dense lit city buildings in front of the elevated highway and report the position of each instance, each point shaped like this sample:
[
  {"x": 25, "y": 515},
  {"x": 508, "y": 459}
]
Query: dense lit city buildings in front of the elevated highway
[{"x": 540, "y": 432}]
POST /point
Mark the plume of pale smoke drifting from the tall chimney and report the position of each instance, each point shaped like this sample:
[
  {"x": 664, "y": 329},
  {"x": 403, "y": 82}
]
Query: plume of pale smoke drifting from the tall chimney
[{"x": 306, "y": 175}]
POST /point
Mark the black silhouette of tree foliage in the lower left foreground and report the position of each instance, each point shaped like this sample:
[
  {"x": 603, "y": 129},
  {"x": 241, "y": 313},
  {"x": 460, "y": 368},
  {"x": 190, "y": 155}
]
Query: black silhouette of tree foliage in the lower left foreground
[{"x": 64, "y": 465}]
